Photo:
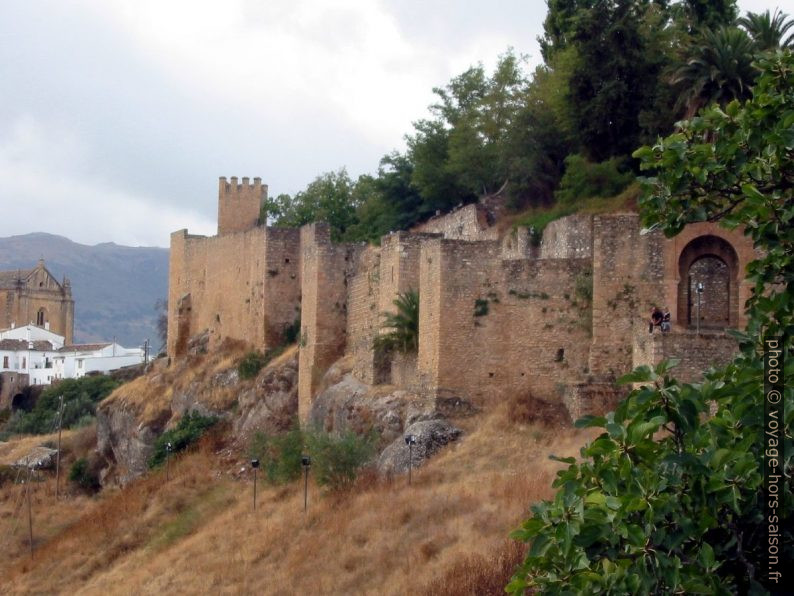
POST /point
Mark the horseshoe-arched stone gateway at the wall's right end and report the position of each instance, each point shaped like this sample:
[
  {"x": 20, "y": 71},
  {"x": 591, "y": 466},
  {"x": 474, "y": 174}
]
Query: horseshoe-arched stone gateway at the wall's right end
[{"x": 710, "y": 264}]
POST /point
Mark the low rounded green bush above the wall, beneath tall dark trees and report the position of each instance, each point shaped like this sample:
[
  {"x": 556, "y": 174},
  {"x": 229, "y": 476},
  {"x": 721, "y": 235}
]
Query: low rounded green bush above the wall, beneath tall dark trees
[{"x": 584, "y": 179}]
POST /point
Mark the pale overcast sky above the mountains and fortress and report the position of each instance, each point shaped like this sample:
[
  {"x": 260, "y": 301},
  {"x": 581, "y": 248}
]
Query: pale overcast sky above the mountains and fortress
[{"x": 118, "y": 116}]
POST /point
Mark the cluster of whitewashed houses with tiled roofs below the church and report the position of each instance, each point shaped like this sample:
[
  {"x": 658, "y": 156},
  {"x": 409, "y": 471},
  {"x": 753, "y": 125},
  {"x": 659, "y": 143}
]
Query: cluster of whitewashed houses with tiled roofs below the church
[{"x": 42, "y": 355}]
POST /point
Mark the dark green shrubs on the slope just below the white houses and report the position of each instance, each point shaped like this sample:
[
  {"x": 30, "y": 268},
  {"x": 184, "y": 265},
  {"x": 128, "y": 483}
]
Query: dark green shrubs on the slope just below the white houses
[{"x": 80, "y": 399}]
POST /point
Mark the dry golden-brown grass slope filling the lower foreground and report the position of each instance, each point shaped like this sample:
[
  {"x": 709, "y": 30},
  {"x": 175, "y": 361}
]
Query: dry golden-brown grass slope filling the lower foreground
[{"x": 197, "y": 532}]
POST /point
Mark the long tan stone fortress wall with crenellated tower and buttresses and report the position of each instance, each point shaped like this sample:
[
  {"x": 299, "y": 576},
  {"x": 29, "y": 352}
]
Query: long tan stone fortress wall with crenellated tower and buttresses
[{"x": 499, "y": 315}]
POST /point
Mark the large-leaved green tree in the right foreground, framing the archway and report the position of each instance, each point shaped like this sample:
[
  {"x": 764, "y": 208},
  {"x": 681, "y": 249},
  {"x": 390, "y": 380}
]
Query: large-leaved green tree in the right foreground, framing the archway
[{"x": 686, "y": 512}]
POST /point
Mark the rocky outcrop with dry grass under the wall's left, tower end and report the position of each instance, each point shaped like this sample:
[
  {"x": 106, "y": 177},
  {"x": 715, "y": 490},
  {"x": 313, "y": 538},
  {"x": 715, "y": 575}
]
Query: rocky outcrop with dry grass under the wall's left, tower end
[{"x": 131, "y": 419}]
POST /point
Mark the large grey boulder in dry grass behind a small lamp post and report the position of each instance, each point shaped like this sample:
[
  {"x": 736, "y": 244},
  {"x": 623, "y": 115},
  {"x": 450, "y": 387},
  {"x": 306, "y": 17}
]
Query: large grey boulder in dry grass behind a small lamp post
[{"x": 431, "y": 436}]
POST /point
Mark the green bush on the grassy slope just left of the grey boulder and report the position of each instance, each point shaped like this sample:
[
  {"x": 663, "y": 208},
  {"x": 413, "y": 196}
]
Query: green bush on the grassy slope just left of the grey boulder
[{"x": 337, "y": 459}]
